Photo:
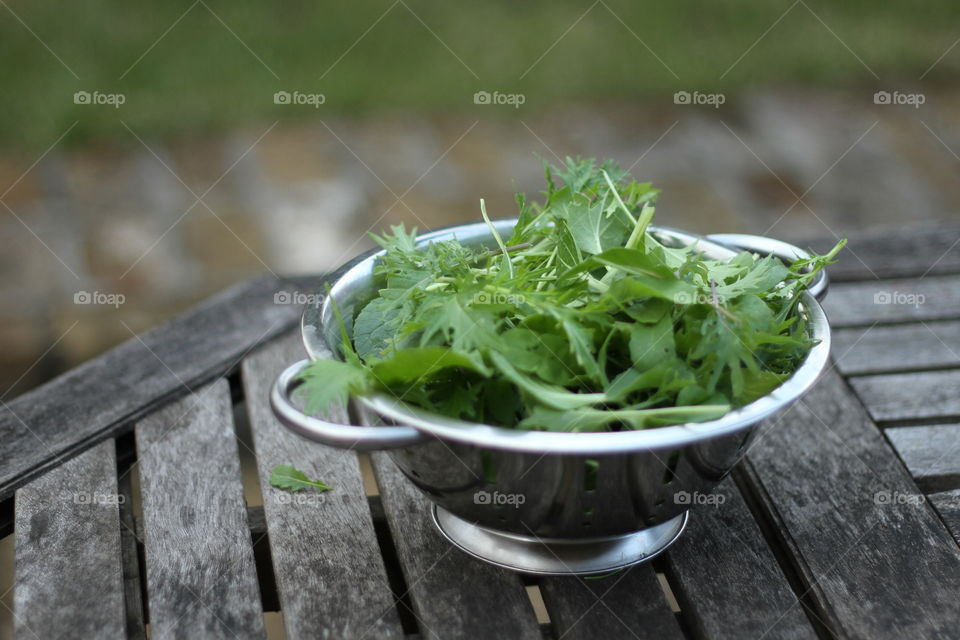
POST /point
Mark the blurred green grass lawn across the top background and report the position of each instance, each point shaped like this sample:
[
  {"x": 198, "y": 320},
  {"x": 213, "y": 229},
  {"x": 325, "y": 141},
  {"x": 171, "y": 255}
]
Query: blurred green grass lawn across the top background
[{"x": 200, "y": 71}]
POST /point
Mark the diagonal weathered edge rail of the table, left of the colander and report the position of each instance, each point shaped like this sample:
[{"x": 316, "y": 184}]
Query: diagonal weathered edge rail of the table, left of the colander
[{"x": 106, "y": 395}]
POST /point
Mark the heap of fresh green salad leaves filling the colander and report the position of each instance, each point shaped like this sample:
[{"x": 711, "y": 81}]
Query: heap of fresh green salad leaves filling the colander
[{"x": 579, "y": 320}]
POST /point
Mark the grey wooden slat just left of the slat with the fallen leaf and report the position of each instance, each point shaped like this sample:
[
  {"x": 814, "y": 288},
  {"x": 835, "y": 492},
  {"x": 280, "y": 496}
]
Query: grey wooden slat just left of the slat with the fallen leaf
[{"x": 199, "y": 557}]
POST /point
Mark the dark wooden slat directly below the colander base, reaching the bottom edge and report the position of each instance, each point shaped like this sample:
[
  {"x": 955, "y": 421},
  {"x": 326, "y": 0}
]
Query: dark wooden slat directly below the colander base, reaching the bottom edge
[{"x": 629, "y": 604}]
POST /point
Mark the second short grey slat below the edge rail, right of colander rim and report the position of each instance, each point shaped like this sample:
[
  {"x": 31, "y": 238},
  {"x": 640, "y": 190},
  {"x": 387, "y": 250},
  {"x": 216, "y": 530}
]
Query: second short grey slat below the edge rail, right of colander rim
[{"x": 889, "y": 349}]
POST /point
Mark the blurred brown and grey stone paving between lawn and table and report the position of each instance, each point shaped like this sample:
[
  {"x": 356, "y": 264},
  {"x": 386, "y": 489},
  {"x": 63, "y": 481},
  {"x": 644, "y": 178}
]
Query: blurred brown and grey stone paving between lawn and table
[{"x": 164, "y": 223}]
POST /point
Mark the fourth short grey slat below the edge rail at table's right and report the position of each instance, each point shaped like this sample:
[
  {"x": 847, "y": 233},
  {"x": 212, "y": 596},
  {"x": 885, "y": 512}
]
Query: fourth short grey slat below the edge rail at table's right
[{"x": 931, "y": 453}]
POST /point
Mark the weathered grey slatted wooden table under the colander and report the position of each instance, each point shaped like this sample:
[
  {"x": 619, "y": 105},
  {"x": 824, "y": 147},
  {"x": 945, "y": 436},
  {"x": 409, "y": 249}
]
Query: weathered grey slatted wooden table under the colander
[{"x": 132, "y": 506}]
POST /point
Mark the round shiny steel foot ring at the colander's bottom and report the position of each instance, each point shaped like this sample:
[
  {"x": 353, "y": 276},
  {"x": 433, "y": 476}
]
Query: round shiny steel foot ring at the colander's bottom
[{"x": 557, "y": 556}]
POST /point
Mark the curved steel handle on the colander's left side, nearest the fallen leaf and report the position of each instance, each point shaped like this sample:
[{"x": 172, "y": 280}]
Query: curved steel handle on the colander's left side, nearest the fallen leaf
[{"x": 342, "y": 436}]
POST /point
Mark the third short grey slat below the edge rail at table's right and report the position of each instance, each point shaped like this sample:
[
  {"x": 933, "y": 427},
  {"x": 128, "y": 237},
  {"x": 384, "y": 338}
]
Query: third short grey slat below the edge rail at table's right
[{"x": 914, "y": 396}]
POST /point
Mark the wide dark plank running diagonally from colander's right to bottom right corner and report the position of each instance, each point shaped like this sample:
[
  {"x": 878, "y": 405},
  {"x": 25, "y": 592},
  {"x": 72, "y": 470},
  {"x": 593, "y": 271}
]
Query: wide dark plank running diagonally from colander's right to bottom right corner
[{"x": 876, "y": 559}]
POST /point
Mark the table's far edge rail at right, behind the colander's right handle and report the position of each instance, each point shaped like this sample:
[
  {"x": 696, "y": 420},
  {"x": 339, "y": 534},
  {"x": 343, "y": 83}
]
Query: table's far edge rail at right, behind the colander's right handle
[{"x": 897, "y": 252}]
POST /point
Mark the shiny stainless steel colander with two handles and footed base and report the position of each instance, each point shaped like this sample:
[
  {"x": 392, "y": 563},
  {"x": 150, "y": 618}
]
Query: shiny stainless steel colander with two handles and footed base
[{"x": 549, "y": 502}]
